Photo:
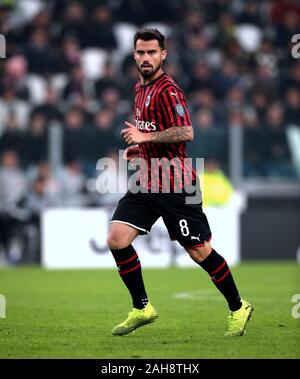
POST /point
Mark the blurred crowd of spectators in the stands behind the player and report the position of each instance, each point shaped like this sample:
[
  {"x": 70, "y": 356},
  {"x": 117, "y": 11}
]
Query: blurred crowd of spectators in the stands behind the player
[{"x": 70, "y": 62}]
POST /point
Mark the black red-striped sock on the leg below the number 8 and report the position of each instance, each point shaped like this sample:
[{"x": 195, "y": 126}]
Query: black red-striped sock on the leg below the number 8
[{"x": 219, "y": 271}]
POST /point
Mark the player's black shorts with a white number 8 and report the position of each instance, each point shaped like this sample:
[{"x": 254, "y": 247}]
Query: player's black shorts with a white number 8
[{"x": 186, "y": 223}]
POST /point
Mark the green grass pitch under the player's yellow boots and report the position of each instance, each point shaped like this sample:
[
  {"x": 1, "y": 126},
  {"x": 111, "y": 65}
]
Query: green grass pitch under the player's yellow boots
[{"x": 70, "y": 314}]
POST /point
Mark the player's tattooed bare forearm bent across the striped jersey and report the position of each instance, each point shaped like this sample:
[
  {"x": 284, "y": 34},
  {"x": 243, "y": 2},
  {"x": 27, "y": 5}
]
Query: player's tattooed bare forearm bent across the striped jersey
[{"x": 175, "y": 134}]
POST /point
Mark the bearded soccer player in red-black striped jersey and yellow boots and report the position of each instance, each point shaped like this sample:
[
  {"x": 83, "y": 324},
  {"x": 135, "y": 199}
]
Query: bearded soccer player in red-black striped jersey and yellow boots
[{"x": 162, "y": 128}]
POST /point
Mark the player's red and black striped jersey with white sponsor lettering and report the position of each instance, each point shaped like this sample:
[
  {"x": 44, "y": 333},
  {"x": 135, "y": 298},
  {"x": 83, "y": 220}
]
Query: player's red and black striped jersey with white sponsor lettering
[{"x": 160, "y": 105}]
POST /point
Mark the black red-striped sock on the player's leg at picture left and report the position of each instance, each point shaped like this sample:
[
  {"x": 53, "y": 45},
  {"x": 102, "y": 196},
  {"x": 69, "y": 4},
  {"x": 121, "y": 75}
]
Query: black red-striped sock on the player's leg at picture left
[{"x": 129, "y": 267}]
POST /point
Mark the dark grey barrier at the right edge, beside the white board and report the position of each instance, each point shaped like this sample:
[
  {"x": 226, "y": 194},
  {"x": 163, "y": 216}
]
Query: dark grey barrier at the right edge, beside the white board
[{"x": 270, "y": 226}]
